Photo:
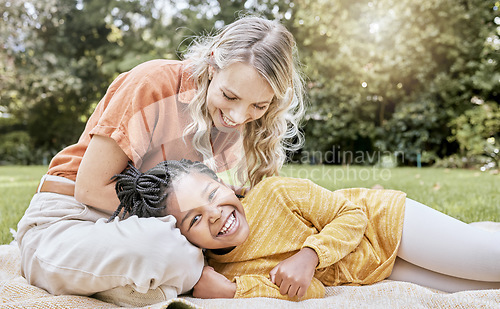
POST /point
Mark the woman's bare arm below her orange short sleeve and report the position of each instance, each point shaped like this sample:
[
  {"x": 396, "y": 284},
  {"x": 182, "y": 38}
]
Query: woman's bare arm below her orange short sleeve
[{"x": 102, "y": 160}]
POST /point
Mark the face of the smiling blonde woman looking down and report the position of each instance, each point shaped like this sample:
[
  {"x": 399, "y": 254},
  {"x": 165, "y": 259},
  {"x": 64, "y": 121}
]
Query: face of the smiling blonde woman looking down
[{"x": 236, "y": 95}]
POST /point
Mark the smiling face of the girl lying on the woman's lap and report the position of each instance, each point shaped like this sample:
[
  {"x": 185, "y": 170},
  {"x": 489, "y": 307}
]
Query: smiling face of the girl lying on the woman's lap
[{"x": 208, "y": 213}]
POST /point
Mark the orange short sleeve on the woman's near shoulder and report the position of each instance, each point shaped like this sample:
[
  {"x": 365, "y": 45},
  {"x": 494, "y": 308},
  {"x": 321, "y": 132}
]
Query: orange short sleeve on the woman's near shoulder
[{"x": 139, "y": 104}]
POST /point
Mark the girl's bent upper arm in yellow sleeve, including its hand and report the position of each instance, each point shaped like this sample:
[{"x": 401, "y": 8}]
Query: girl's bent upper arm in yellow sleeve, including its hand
[{"x": 341, "y": 225}]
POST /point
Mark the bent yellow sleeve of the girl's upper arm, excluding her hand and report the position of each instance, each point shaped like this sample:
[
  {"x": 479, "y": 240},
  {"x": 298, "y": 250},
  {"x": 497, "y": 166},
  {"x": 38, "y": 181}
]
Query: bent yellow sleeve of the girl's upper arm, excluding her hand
[{"x": 338, "y": 223}]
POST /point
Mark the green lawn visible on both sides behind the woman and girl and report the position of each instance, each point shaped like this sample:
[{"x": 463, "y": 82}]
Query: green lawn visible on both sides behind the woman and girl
[{"x": 466, "y": 195}]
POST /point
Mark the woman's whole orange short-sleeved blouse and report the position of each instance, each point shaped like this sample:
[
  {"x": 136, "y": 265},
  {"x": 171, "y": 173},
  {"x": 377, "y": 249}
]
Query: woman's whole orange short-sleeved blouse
[{"x": 145, "y": 112}]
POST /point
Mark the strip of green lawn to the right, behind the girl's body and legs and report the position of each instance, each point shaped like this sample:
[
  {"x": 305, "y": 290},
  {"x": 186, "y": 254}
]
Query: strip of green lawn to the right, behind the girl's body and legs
[{"x": 463, "y": 194}]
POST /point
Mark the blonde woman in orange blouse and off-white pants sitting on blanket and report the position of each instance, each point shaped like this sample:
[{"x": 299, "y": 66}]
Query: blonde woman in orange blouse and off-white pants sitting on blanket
[{"x": 238, "y": 92}]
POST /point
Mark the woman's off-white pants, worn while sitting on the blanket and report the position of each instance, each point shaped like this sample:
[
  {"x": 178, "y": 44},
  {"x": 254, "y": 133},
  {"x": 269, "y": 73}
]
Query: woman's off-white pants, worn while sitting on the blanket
[{"x": 69, "y": 248}]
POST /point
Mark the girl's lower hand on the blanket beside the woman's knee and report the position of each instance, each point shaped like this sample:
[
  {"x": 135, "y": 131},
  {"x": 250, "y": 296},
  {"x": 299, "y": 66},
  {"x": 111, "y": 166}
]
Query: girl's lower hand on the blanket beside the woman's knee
[{"x": 213, "y": 285}]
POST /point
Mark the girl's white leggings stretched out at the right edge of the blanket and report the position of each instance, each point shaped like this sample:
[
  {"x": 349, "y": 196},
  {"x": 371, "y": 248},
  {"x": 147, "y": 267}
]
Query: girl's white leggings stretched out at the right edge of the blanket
[{"x": 441, "y": 252}]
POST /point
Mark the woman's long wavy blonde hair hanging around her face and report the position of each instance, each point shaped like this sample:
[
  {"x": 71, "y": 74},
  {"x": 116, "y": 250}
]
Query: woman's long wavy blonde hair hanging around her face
[{"x": 270, "y": 48}]
